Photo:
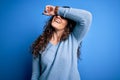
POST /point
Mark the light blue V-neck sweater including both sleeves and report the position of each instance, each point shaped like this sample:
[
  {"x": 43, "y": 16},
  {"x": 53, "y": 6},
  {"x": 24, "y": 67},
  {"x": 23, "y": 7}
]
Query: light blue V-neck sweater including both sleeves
[{"x": 59, "y": 62}]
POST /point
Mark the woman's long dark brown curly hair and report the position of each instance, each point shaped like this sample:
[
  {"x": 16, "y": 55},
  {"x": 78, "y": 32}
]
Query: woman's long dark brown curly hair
[{"x": 41, "y": 42}]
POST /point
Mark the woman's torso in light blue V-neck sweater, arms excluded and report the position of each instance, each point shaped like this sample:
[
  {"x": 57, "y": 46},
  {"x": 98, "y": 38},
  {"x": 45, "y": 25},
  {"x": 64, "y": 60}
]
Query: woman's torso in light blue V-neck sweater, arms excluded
[{"x": 60, "y": 57}]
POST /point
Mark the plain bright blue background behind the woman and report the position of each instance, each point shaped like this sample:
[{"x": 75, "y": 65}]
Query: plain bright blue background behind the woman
[{"x": 21, "y": 23}]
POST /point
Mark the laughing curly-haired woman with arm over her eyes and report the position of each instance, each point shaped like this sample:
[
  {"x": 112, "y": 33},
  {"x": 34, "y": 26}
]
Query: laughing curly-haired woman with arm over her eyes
[{"x": 55, "y": 51}]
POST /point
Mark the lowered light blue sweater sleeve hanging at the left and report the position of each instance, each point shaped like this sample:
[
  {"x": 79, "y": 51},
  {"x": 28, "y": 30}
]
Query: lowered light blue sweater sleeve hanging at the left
[{"x": 35, "y": 68}]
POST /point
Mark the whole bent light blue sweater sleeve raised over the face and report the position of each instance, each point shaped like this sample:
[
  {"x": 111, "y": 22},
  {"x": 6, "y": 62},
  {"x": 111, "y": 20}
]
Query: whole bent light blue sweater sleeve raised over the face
[{"x": 83, "y": 19}]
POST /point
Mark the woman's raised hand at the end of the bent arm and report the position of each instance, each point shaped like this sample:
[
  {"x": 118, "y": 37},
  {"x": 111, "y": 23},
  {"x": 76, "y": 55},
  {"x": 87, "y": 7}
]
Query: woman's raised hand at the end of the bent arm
[{"x": 49, "y": 10}]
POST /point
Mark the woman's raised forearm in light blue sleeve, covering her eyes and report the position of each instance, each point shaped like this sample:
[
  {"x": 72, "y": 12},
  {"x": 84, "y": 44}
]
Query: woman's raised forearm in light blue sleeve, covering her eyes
[{"x": 77, "y": 15}]
